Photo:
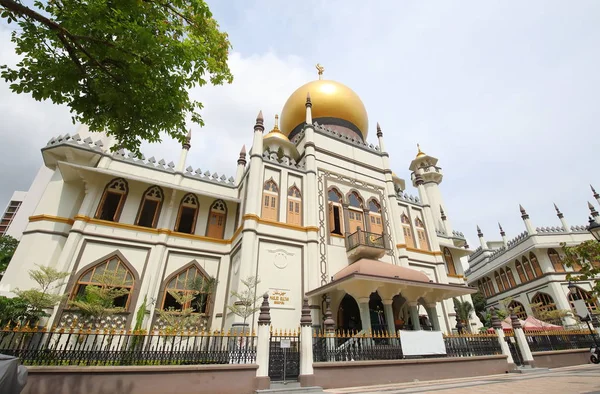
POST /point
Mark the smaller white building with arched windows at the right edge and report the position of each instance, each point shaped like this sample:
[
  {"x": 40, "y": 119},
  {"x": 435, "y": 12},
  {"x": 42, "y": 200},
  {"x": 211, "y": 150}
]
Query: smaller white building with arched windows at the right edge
[{"x": 529, "y": 268}]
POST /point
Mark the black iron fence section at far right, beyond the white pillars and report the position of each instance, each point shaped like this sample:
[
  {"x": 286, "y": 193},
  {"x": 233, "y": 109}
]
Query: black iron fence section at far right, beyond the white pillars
[{"x": 560, "y": 340}]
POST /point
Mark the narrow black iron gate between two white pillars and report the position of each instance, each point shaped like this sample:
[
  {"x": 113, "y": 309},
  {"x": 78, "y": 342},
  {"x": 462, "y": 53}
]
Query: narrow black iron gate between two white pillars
[{"x": 284, "y": 355}]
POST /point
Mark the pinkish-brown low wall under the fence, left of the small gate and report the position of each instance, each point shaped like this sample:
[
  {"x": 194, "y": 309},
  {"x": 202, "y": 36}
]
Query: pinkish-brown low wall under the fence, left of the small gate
[{"x": 224, "y": 379}]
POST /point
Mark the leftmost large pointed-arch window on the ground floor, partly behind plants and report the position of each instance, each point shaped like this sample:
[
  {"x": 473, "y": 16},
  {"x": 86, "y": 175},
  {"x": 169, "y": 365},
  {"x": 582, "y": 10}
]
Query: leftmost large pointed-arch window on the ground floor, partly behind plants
[{"x": 111, "y": 272}]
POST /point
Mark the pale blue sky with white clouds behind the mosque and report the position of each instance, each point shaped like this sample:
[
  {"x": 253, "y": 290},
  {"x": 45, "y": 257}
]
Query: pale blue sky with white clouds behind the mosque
[{"x": 504, "y": 93}]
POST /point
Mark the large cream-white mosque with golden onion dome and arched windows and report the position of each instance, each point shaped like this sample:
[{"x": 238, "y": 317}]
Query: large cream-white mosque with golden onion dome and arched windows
[{"x": 313, "y": 209}]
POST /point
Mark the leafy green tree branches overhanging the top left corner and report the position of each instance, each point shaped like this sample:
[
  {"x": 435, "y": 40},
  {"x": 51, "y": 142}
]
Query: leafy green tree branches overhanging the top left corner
[{"x": 123, "y": 67}]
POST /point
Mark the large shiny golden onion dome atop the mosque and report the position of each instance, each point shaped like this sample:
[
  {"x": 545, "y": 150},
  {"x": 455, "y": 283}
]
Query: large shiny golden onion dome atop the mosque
[{"x": 329, "y": 99}]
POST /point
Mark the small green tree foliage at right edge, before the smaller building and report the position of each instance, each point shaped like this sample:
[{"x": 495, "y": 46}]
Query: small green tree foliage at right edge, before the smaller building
[{"x": 587, "y": 256}]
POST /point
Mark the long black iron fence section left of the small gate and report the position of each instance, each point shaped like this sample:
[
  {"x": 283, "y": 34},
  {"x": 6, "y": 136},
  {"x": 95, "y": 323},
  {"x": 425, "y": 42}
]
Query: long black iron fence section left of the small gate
[{"x": 105, "y": 347}]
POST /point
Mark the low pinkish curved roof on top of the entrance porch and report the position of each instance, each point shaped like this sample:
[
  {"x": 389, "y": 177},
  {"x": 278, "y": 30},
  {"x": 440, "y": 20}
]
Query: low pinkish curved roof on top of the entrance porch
[{"x": 381, "y": 269}]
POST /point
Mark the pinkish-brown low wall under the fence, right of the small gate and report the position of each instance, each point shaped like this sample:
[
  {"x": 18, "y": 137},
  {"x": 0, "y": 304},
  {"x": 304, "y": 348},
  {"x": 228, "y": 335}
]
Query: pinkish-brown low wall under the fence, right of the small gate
[{"x": 364, "y": 373}]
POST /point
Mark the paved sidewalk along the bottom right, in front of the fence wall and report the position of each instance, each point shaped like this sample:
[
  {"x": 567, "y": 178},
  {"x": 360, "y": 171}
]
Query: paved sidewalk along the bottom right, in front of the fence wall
[{"x": 583, "y": 379}]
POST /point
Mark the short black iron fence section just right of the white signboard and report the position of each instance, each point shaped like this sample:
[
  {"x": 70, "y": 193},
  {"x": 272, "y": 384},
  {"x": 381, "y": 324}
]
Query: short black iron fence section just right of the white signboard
[{"x": 469, "y": 345}]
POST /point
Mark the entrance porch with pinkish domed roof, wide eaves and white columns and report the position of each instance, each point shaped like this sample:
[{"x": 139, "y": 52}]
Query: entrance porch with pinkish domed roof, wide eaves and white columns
[{"x": 367, "y": 276}]
